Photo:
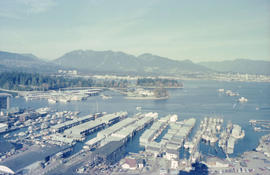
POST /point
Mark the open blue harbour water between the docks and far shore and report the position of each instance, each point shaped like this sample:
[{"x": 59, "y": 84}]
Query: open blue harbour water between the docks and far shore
[{"x": 197, "y": 99}]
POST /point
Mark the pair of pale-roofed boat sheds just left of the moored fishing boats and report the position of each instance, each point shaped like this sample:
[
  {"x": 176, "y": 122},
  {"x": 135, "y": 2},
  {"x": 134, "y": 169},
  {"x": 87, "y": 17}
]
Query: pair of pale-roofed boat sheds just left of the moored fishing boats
[{"x": 171, "y": 141}]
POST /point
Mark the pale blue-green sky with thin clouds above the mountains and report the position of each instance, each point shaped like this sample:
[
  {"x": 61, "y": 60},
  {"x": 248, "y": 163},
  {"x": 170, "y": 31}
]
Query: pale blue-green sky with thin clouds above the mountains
[{"x": 199, "y": 30}]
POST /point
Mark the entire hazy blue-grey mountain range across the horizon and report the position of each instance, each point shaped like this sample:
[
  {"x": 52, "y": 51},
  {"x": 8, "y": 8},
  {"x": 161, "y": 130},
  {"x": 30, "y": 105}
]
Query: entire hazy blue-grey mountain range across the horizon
[{"x": 90, "y": 61}]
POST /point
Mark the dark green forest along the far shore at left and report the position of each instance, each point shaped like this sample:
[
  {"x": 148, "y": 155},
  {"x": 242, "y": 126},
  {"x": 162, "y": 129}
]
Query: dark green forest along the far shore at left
[{"x": 34, "y": 81}]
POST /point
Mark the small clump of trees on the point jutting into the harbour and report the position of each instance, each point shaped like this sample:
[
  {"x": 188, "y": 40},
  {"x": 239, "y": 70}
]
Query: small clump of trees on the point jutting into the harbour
[{"x": 158, "y": 82}]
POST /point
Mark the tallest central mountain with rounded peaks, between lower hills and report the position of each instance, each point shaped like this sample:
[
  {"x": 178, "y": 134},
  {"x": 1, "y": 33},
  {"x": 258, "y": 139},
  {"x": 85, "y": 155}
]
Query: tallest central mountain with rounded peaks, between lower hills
[{"x": 108, "y": 61}]
